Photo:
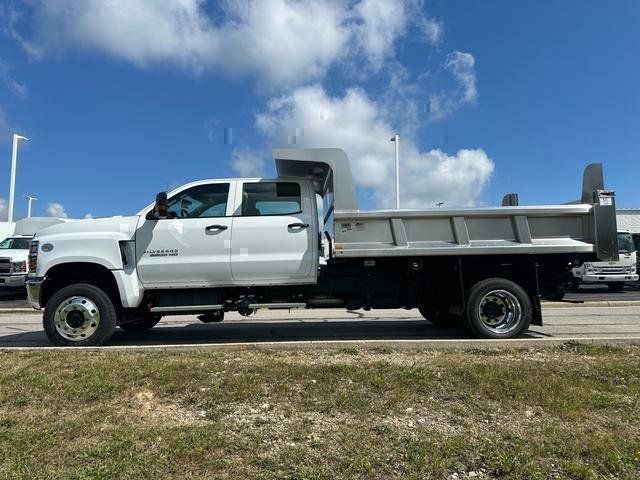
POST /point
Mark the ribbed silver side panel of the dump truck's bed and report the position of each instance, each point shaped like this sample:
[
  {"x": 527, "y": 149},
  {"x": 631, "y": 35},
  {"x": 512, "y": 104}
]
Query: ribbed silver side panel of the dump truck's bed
[{"x": 483, "y": 231}]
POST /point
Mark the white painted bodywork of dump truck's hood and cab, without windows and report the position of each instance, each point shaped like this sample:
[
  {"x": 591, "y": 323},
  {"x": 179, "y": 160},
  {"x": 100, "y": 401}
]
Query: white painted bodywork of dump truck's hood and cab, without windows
[{"x": 183, "y": 253}]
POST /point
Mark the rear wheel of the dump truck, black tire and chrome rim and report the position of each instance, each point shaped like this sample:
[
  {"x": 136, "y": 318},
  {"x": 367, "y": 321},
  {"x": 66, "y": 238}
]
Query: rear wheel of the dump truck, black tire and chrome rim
[{"x": 507, "y": 299}]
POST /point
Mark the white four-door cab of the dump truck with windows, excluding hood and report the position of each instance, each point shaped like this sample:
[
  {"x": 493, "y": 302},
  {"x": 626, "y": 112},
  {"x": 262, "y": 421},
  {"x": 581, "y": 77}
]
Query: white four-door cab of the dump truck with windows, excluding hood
[{"x": 224, "y": 233}]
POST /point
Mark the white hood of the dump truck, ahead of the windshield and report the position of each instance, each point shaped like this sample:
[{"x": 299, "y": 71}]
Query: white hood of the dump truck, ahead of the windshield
[{"x": 119, "y": 228}]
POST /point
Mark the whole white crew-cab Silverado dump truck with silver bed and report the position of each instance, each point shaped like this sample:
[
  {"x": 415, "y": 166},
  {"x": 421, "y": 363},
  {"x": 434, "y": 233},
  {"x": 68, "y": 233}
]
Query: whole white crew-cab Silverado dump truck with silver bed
[{"x": 300, "y": 241}]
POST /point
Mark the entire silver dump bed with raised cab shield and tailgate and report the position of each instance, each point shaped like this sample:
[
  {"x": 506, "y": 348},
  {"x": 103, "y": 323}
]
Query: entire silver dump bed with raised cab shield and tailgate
[{"x": 587, "y": 225}]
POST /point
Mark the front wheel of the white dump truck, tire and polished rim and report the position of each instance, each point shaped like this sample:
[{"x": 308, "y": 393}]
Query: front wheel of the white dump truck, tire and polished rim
[{"x": 80, "y": 315}]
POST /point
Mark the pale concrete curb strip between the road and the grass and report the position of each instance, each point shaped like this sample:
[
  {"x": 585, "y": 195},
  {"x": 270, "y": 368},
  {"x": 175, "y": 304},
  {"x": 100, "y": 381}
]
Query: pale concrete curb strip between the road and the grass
[{"x": 430, "y": 344}]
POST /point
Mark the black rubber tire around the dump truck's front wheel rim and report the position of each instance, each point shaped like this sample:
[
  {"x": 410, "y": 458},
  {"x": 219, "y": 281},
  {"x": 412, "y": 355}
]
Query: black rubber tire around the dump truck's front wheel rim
[{"x": 104, "y": 327}]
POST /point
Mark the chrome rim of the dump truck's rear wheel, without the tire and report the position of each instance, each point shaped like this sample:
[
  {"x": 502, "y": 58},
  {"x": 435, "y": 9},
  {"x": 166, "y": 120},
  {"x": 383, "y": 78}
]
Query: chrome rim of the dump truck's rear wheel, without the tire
[{"x": 500, "y": 311}]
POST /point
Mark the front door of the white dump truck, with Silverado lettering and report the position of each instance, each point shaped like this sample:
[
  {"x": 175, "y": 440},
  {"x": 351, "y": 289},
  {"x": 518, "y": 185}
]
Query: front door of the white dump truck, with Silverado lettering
[{"x": 191, "y": 247}]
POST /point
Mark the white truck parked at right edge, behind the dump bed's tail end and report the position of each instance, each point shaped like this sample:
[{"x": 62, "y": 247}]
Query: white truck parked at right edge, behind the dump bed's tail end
[{"x": 613, "y": 273}]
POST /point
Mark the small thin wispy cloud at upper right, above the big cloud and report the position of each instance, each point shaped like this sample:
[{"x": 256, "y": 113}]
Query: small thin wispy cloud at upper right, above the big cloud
[{"x": 462, "y": 67}]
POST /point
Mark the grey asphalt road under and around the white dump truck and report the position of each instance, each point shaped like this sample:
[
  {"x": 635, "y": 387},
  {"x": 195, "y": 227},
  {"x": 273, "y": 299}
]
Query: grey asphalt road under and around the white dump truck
[{"x": 594, "y": 318}]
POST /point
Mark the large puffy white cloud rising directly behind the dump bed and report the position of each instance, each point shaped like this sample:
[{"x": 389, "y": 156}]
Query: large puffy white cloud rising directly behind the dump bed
[{"x": 362, "y": 128}]
